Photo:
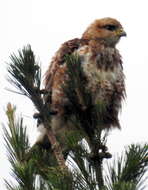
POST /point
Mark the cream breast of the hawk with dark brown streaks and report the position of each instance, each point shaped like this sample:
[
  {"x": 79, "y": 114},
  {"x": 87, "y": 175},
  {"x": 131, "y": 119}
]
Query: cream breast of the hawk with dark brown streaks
[{"x": 103, "y": 72}]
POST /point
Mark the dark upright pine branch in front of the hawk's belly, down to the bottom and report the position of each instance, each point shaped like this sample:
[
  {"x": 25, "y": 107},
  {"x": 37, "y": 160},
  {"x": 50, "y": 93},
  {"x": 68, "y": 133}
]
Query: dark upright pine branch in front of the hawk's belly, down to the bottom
[{"x": 87, "y": 114}]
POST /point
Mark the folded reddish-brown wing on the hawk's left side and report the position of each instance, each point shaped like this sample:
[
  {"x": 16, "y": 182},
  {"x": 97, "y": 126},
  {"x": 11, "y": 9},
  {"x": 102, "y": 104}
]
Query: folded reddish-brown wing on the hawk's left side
[{"x": 55, "y": 74}]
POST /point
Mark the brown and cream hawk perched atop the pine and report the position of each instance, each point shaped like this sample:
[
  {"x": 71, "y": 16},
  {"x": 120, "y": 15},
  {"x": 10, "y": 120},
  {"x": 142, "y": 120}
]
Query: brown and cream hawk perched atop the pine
[{"x": 103, "y": 70}]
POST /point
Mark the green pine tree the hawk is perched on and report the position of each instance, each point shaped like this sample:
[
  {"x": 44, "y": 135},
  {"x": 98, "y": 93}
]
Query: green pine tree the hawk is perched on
[{"x": 83, "y": 169}]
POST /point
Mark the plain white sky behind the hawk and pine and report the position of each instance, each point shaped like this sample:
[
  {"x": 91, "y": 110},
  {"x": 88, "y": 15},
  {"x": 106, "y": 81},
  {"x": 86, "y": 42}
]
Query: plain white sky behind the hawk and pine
[{"x": 46, "y": 24}]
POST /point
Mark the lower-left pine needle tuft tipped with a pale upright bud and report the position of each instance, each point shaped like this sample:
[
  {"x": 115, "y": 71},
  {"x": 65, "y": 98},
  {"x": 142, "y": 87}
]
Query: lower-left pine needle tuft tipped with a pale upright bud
[{"x": 15, "y": 136}]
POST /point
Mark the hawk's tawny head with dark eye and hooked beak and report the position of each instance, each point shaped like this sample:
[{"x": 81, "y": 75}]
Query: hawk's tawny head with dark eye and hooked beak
[{"x": 108, "y": 29}]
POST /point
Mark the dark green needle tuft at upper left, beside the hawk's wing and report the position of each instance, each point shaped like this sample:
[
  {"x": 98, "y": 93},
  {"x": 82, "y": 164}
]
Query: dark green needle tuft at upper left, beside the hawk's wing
[{"x": 24, "y": 71}]
